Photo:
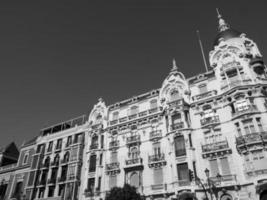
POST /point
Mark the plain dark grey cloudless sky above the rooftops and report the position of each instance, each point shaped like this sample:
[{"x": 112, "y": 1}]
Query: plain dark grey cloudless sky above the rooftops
[{"x": 58, "y": 57}]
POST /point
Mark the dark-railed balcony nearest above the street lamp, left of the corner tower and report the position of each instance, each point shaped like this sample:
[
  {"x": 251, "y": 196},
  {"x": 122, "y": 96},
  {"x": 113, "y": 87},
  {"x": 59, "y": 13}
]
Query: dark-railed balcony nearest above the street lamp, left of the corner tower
[{"x": 221, "y": 147}]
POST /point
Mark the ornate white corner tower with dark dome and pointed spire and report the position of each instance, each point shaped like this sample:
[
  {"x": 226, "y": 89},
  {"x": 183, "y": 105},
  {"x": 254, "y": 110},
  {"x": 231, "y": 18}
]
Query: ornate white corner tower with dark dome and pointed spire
[{"x": 235, "y": 58}]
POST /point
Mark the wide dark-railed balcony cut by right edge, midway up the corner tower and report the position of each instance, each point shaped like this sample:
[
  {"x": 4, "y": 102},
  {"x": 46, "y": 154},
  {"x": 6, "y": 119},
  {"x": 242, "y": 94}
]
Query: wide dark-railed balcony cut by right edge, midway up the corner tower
[{"x": 244, "y": 142}]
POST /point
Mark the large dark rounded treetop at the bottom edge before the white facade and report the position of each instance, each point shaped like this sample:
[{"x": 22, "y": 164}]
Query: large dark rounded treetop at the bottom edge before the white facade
[{"x": 128, "y": 192}]
